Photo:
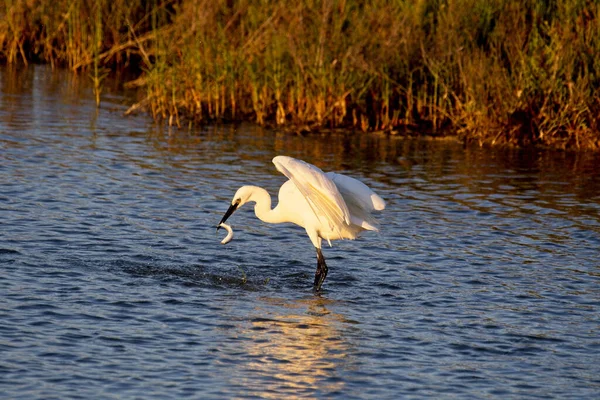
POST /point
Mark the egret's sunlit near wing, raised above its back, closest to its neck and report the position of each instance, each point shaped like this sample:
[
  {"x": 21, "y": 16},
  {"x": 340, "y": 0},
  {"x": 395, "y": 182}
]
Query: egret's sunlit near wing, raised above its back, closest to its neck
[{"x": 321, "y": 193}]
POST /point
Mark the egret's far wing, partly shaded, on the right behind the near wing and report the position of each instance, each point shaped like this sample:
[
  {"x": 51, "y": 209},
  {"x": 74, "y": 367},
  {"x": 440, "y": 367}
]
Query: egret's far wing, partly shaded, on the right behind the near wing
[{"x": 360, "y": 199}]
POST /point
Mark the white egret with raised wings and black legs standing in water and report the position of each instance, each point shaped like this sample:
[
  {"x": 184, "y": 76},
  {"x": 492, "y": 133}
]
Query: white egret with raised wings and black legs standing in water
[{"x": 328, "y": 206}]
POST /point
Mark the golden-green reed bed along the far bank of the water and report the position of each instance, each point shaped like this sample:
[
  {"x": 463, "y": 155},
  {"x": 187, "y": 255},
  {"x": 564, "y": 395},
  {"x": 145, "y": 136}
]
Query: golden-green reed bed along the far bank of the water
[{"x": 492, "y": 71}]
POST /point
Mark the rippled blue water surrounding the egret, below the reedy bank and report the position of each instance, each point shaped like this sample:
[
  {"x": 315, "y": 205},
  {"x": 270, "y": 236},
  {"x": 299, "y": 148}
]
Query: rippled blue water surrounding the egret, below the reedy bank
[{"x": 484, "y": 281}]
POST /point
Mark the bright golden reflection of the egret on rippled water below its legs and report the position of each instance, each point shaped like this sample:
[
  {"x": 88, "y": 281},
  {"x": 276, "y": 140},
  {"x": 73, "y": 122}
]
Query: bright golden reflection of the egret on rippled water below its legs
[{"x": 302, "y": 354}]
